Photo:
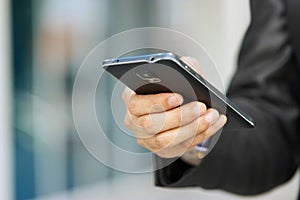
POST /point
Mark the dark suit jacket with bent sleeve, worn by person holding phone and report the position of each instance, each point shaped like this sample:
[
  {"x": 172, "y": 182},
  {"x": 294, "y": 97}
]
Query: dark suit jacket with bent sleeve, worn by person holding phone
[{"x": 266, "y": 85}]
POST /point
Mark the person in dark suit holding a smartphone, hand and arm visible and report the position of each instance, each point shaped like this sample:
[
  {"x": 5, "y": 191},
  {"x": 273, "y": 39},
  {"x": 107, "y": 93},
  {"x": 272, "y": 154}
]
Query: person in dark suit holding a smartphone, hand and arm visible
[{"x": 266, "y": 85}]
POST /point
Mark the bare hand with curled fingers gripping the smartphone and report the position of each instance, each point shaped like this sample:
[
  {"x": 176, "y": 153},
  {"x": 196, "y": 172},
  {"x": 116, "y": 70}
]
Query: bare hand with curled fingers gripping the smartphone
[{"x": 166, "y": 128}]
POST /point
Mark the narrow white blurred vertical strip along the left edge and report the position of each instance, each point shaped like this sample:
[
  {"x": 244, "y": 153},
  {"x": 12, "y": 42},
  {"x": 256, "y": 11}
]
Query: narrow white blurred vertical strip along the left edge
[{"x": 6, "y": 155}]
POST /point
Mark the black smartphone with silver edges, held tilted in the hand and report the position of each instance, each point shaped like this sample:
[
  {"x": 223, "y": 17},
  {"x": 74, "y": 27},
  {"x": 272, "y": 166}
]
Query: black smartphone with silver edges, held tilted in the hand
[{"x": 166, "y": 72}]
